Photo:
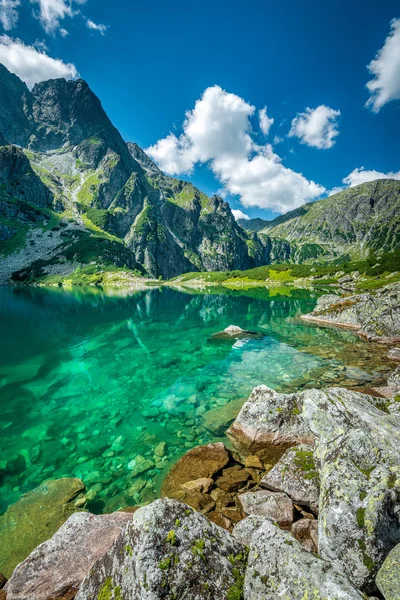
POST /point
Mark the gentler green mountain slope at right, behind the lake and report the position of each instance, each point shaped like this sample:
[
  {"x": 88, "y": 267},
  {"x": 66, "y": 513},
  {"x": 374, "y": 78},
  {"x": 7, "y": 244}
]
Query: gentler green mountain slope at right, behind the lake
[{"x": 353, "y": 222}]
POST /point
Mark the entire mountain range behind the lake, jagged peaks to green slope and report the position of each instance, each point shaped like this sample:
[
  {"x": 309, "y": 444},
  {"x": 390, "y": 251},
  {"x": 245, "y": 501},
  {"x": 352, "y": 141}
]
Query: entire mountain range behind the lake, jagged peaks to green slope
[{"x": 73, "y": 192}]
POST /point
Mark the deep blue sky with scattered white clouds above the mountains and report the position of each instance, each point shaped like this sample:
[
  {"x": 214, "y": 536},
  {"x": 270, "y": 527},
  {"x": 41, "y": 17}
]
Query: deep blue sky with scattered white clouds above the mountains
[{"x": 155, "y": 60}]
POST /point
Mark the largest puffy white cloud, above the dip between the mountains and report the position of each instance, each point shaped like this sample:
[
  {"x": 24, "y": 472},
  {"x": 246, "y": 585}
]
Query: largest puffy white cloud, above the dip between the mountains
[{"x": 218, "y": 132}]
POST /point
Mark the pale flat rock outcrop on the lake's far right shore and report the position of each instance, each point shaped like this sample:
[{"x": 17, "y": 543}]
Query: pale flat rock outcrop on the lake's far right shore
[{"x": 376, "y": 316}]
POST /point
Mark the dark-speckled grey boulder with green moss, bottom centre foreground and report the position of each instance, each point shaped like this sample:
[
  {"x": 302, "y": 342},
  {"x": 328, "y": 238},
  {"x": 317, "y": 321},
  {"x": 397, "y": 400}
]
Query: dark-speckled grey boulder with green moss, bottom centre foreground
[{"x": 168, "y": 551}]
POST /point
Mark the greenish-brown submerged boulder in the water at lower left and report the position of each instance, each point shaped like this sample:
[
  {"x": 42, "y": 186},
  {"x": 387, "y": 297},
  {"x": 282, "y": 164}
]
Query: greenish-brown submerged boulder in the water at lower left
[{"x": 35, "y": 518}]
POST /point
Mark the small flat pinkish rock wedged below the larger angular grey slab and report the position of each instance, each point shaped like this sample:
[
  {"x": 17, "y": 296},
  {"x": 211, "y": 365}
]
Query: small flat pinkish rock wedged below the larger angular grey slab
[{"x": 277, "y": 506}]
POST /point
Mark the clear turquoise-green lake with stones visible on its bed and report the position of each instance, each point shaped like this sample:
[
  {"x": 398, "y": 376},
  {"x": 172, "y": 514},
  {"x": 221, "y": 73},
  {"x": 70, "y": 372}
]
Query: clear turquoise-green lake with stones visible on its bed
[{"x": 91, "y": 382}]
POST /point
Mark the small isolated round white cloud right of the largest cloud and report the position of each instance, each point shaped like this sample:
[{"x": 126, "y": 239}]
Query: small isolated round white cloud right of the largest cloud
[{"x": 316, "y": 127}]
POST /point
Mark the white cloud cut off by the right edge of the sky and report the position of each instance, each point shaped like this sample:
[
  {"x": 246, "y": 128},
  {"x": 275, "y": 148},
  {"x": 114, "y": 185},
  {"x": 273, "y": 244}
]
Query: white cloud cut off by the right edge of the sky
[{"x": 385, "y": 69}]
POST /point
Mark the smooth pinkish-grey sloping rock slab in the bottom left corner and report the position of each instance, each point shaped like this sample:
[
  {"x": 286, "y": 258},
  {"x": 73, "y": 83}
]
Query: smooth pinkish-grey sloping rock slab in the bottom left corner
[{"x": 57, "y": 567}]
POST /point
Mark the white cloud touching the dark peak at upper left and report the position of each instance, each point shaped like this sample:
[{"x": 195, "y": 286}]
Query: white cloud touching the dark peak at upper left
[{"x": 32, "y": 64}]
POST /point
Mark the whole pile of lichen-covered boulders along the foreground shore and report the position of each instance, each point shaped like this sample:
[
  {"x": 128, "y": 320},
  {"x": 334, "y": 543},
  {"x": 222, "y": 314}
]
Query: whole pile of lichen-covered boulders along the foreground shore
[{"x": 306, "y": 505}]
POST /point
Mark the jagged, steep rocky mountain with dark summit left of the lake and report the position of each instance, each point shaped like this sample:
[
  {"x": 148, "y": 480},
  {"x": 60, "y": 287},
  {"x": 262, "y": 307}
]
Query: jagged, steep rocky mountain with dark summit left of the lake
[{"x": 111, "y": 189}]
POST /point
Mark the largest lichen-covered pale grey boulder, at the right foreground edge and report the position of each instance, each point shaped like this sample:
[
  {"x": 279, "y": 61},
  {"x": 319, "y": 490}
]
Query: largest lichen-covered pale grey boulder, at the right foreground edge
[{"x": 357, "y": 454}]
